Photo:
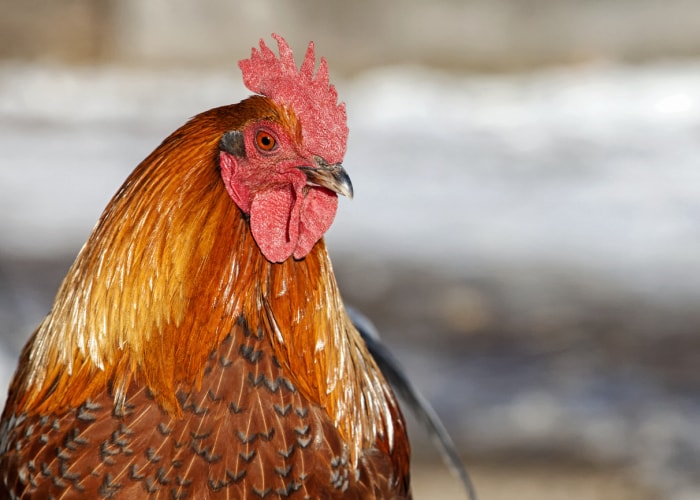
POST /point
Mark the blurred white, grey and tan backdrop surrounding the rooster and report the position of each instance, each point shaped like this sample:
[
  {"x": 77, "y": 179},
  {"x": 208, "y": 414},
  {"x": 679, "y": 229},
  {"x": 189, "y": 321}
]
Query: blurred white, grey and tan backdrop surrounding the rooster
[{"x": 526, "y": 226}]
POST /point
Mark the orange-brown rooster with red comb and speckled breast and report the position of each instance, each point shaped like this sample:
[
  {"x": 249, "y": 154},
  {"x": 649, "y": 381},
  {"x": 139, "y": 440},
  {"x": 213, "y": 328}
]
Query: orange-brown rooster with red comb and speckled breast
[{"x": 198, "y": 346}]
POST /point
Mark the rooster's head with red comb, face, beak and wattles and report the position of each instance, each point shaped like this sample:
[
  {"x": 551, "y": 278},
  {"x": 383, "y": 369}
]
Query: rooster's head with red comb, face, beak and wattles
[{"x": 283, "y": 168}]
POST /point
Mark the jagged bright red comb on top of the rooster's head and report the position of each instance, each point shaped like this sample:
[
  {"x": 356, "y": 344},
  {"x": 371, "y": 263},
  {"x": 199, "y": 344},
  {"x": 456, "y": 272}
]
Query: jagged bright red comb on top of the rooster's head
[{"x": 313, "y": 99}]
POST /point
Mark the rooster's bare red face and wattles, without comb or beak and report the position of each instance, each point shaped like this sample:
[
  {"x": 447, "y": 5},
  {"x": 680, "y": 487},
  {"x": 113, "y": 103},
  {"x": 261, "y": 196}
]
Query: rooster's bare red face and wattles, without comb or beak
[{"x": 288, "y": 215}]
